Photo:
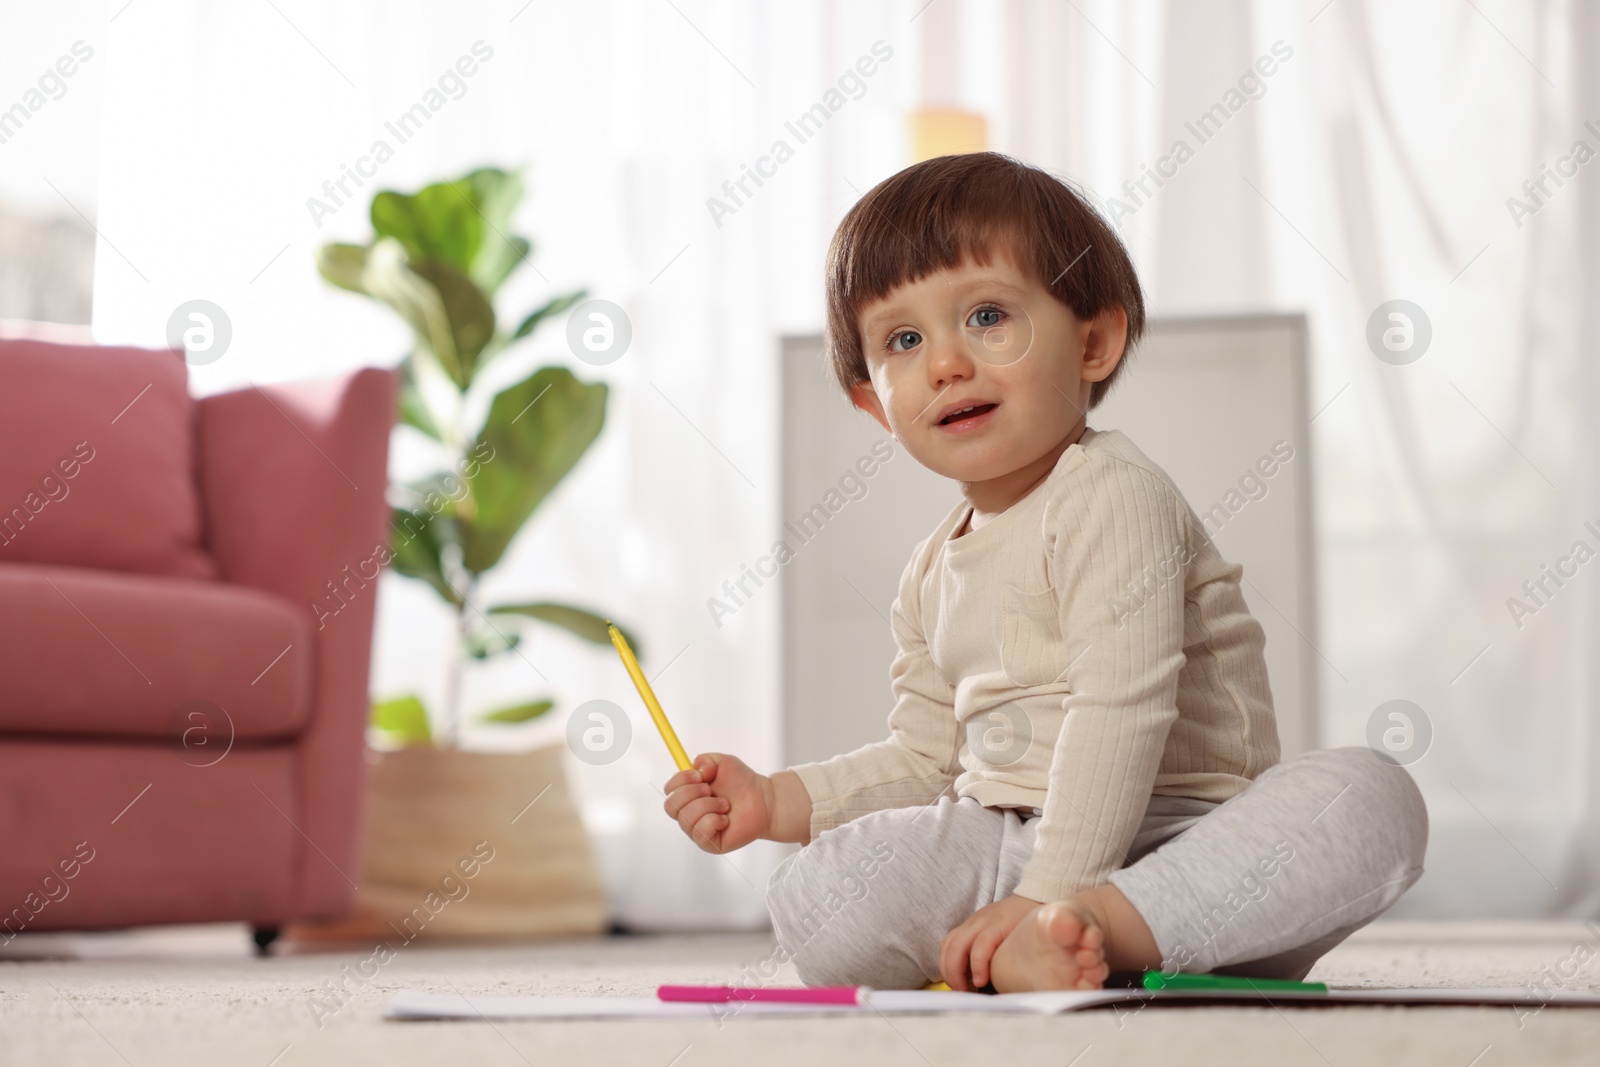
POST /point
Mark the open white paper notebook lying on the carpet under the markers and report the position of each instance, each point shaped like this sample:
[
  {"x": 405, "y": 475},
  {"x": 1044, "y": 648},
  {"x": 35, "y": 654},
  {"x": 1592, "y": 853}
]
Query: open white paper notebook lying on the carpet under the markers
[{"x": 420, "y": 1005}]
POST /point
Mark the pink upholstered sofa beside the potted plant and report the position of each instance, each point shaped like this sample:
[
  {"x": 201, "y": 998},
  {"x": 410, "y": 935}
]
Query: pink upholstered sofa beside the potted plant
[{"x": 182, "y": 729}]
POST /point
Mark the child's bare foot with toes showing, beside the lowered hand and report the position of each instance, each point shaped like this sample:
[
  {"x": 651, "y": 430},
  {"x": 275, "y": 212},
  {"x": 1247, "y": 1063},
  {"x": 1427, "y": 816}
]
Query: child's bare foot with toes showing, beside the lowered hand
[{"x": 1058, "y": 946}]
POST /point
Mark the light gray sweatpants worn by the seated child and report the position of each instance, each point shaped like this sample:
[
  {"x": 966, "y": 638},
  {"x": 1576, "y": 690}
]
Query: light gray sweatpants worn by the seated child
[{"x": 1262, "y": 885}]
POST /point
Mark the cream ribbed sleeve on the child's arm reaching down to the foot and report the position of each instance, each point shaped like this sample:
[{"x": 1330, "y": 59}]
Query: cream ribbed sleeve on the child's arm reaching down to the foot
[{"x": 1119, "y": 565}]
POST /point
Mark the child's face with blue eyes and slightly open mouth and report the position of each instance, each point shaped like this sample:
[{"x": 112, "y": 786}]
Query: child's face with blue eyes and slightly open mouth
[{"x": 994, "y": 338}]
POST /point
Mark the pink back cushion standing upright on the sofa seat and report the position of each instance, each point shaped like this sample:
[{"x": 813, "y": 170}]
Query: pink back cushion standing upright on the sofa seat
[{"x": 98, "y": 460}]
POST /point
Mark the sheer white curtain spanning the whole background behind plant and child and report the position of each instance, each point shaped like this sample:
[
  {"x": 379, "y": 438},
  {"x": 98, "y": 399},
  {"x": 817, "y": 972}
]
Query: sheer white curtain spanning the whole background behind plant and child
[{"x": 1372, "y": 164}]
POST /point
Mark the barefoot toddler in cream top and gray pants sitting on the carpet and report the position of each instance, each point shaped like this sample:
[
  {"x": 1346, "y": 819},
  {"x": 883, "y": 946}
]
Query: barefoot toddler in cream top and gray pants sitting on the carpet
[{"x": 1082, "y": 770}]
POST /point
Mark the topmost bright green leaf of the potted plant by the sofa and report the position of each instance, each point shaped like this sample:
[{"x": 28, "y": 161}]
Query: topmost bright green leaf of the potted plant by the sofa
[{"x": 465, "y": 225}]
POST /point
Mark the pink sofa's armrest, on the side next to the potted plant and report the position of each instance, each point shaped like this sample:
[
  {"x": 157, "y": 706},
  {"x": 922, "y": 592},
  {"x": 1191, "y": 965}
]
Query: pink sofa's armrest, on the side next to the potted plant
[{"x": 294, "y": 489}]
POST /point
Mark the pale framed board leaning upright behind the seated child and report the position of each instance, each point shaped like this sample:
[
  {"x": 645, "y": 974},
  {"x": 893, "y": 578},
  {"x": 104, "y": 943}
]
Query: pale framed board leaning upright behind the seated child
[{"x": 1204, "y": 398}]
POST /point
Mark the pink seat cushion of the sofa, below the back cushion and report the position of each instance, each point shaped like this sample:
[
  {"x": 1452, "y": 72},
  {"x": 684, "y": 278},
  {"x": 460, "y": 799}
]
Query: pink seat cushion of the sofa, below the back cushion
[{"x": 87, "y": 652}]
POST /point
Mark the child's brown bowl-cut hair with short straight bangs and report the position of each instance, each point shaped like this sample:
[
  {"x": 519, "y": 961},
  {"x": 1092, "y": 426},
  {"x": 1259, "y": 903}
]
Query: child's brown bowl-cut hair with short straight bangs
[{"x": 934, "y": 215}]
